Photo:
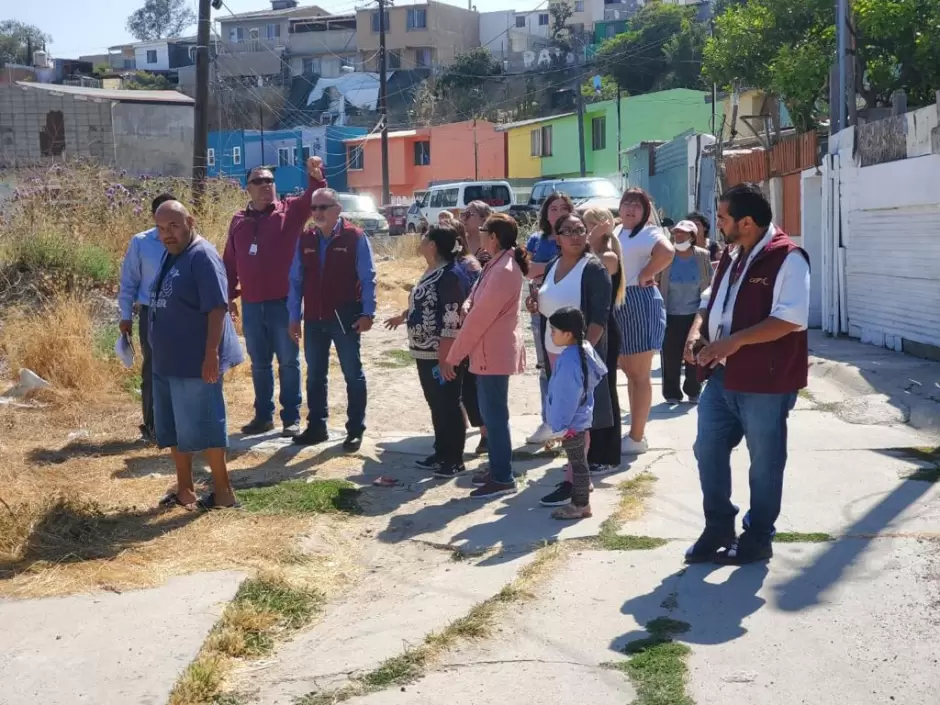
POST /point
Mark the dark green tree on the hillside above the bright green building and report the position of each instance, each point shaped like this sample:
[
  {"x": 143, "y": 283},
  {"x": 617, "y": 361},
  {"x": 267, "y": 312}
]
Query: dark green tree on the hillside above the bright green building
[{"x": 661, "y": 49}]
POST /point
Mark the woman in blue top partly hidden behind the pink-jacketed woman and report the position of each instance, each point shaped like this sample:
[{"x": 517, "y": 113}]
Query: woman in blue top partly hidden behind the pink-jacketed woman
[{"x": 543, "y": 248}]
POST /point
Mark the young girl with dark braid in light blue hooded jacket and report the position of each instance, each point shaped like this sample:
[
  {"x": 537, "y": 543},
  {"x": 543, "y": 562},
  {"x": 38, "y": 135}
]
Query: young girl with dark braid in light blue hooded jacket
[{"x": 570, "y": 402}]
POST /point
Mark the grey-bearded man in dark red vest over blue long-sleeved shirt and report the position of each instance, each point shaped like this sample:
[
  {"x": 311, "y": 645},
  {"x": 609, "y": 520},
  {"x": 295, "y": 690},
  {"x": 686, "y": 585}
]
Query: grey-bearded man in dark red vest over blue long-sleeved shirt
[{"x": 333, "y": 280}]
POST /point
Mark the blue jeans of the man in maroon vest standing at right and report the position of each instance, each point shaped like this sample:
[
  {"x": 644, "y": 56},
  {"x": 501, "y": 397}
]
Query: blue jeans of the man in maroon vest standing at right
[{"x": 724, "y": 418}]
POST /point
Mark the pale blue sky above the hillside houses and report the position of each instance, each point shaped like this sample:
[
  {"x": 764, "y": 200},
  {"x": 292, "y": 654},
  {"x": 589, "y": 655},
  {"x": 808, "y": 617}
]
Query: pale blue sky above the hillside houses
[{"x": 90, "y": 27}]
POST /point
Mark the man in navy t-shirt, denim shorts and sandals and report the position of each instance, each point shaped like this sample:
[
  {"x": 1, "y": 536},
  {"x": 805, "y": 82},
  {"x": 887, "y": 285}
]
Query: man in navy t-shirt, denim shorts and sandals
[{"x": 194, "y": 343}]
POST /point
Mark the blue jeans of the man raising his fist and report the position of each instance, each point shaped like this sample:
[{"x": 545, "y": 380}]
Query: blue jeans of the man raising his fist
[{"x": 266, "y": 337}]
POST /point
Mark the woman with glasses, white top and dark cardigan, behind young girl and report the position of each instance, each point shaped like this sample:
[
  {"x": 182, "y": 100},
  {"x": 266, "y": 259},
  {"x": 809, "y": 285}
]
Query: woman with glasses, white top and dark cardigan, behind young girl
[{"x": 576, "y": 279}]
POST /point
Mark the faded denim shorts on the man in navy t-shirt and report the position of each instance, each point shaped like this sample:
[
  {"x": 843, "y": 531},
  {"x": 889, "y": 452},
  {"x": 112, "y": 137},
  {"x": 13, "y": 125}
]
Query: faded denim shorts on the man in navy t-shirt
[{"x": 189, "y": 414}]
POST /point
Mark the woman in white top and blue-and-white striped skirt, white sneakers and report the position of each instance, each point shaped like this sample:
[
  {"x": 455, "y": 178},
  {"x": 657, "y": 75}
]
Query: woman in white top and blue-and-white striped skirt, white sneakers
[{"x": 646, "y": 252}]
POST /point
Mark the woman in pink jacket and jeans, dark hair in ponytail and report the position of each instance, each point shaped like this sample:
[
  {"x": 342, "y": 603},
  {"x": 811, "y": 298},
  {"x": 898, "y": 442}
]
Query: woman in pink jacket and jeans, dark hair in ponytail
[{"x": 490, "y": 336}]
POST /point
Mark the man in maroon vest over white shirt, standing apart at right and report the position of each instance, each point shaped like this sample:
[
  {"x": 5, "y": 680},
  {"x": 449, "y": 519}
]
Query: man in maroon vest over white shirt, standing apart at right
[{"x": 755, "y": 317}]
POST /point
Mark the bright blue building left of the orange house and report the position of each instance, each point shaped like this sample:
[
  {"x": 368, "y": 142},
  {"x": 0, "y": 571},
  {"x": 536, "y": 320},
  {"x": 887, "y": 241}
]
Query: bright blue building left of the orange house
[{"x": 233, "y": 154}]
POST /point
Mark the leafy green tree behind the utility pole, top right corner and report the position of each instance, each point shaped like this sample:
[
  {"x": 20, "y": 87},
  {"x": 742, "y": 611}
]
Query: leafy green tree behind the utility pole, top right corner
[{"x": 786, "y": 48}]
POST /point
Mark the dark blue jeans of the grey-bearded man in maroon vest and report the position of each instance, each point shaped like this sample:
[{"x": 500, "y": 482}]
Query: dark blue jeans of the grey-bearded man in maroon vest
[{"x": 317, "y": 339}]
